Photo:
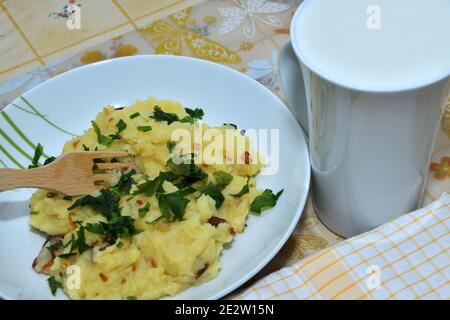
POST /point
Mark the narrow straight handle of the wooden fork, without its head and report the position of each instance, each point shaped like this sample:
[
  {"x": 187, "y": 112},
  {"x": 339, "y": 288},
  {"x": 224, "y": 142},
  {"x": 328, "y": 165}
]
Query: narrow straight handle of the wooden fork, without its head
[{"x": 21, "y": 178}]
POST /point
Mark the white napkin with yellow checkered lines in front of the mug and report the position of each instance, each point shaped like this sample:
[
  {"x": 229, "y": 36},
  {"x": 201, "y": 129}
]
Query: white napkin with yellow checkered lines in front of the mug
[{"x": 404, "y": 259}]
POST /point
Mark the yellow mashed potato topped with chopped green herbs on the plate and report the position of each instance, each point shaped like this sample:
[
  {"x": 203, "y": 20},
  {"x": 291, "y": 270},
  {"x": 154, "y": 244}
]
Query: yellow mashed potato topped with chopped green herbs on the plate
[{"x": 137, "y": 249}]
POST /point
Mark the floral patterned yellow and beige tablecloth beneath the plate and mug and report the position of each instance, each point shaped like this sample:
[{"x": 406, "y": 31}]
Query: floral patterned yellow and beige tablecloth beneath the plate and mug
[{"x": 245, "y": 35}]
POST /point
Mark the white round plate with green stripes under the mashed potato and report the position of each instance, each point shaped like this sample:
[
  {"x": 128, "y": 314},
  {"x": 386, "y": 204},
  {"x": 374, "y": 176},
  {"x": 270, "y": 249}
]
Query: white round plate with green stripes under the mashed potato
[{"x": 72, "y": 99}]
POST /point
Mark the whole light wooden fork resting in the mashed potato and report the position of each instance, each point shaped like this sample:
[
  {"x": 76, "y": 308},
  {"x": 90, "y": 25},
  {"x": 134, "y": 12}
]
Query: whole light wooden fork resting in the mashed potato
[{"x": 71, "y": 173}]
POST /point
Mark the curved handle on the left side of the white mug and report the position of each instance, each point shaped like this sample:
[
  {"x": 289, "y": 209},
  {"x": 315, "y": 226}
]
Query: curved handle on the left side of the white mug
[{"x": 291, "y": 79}]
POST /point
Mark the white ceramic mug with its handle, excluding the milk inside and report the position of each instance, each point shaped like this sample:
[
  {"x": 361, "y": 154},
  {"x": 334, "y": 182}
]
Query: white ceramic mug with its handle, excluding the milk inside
[{"x": 370, "y": 150}]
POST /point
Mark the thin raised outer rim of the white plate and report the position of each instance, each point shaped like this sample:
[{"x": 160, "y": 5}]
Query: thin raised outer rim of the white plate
[{"x": 280, "y": 105}]
